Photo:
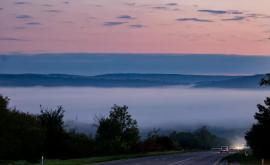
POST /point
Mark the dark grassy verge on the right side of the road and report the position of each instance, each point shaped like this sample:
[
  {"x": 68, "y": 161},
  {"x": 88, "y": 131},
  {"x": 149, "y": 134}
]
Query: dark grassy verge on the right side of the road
[{"x": 242, "y": 159}]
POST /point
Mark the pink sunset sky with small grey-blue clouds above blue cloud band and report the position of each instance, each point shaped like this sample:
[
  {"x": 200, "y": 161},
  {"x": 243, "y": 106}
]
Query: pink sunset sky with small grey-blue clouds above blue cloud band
[{"x": 135, "y": 26}]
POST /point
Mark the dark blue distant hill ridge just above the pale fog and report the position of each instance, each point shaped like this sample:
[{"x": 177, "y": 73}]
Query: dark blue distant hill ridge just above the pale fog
[{"x": 130, "y": 80}]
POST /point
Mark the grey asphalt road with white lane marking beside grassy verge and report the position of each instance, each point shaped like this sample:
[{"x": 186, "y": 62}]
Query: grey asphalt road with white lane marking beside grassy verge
[{"x": 195, "y": 158}]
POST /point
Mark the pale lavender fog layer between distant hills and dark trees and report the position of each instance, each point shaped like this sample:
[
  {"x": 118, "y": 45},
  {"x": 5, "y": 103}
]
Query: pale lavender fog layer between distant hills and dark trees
[{"x": 151, "y": 107}]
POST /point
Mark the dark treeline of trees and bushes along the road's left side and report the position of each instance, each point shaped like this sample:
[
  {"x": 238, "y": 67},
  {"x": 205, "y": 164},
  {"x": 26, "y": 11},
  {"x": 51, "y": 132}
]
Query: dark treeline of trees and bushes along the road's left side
[{"x": 26, "y": 136}]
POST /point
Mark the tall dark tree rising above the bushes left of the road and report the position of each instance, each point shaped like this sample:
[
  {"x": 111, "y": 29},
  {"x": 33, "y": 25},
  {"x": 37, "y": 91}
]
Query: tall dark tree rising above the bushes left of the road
[{"x": 118, "y": 132}]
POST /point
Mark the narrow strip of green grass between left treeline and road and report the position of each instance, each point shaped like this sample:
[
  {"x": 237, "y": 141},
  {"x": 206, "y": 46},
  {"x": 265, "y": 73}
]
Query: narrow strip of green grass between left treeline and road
[{"x": 91, "y": 160}]
